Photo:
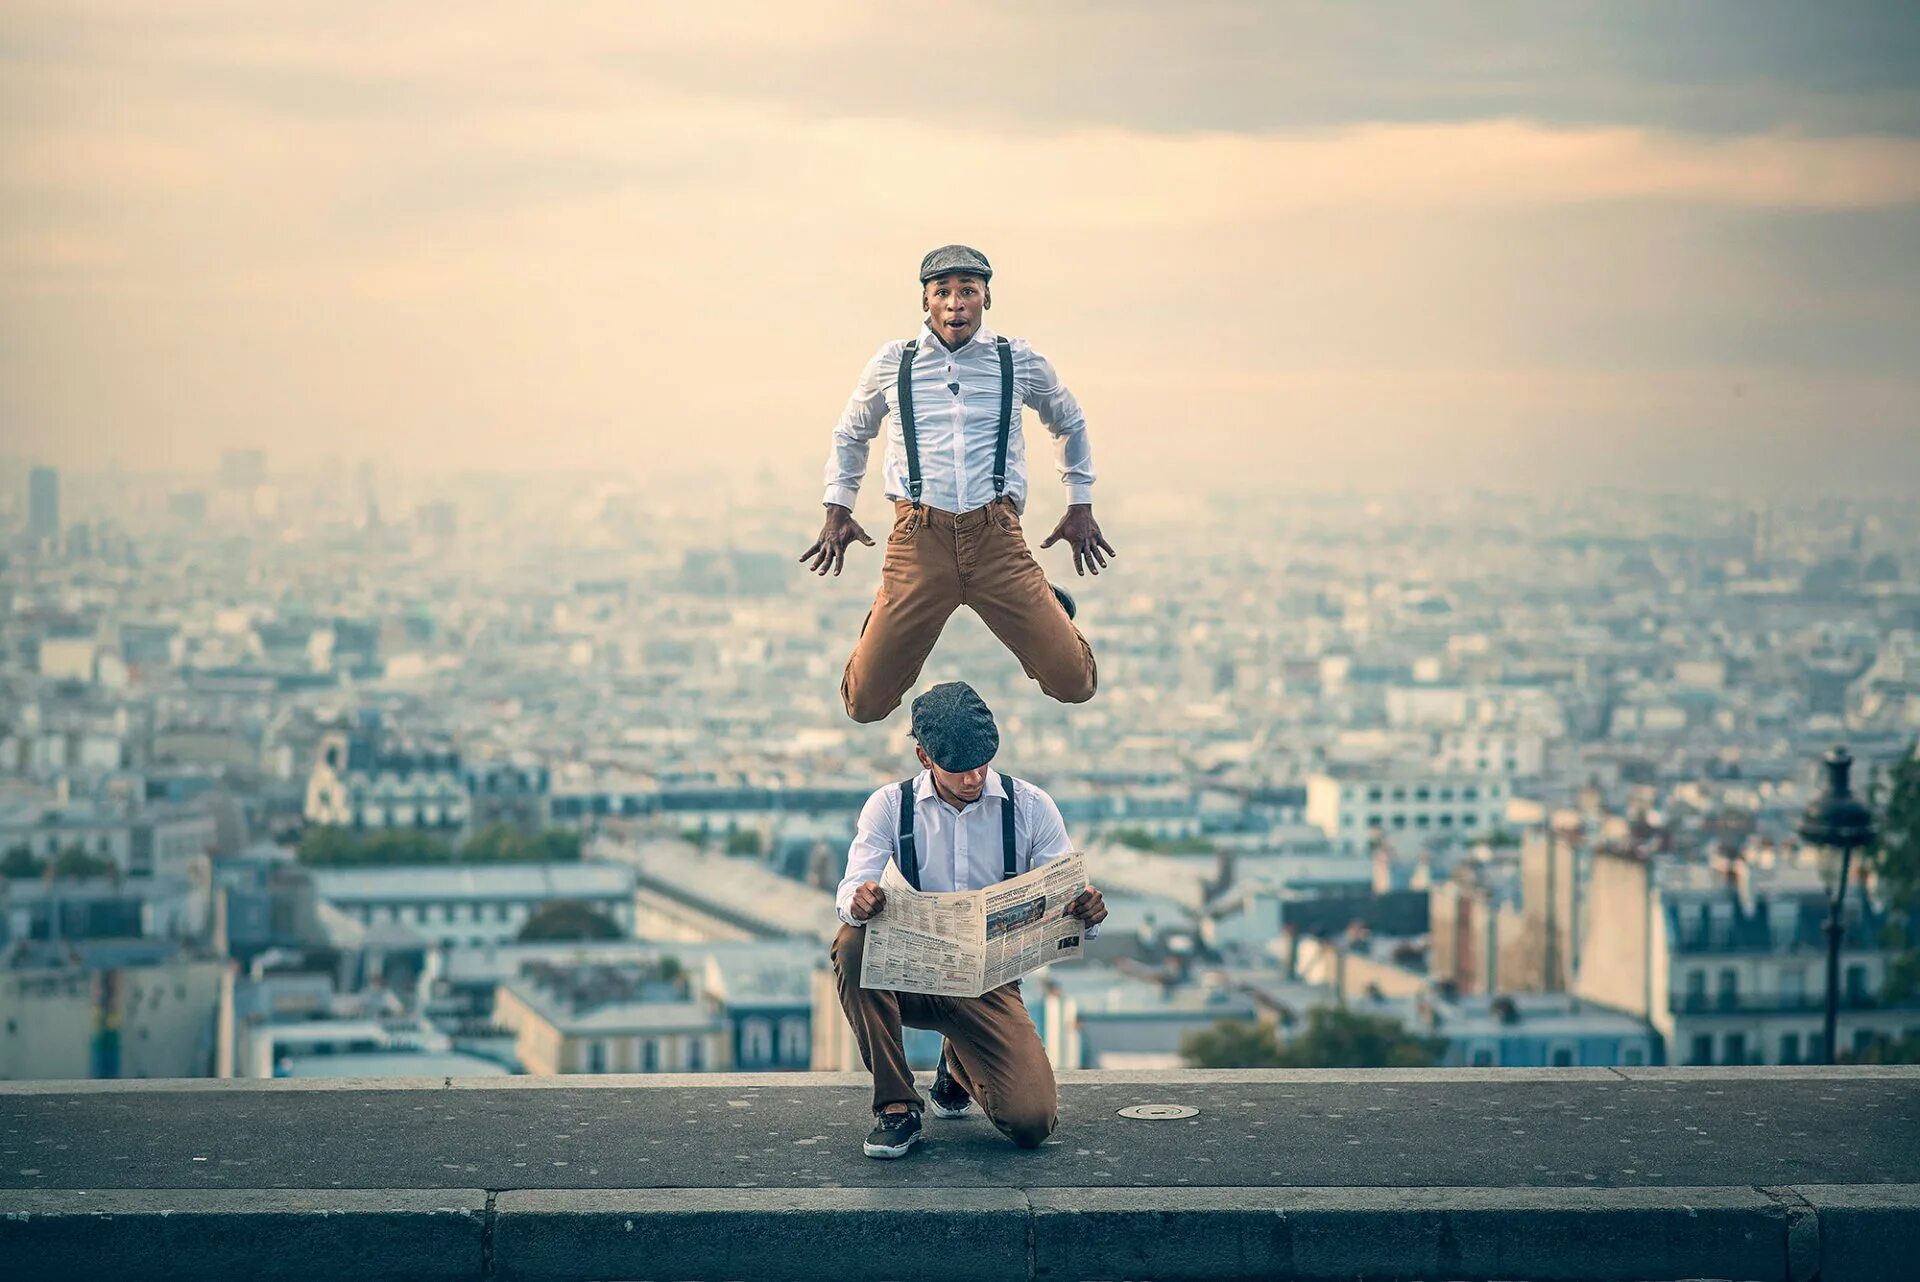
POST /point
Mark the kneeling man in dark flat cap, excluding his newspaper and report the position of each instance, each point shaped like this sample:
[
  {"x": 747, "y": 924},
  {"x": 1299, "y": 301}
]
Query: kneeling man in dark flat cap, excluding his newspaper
[{"x": 965, "y": 828}]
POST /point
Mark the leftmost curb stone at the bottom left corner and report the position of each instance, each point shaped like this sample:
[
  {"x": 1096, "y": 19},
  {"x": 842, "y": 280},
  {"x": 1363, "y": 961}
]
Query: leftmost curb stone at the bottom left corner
[{"x": 191, "y": 1235}]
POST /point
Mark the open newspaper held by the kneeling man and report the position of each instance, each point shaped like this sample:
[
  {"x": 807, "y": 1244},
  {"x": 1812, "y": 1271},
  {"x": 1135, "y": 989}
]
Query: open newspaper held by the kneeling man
[{"x": 967, "y": 943}]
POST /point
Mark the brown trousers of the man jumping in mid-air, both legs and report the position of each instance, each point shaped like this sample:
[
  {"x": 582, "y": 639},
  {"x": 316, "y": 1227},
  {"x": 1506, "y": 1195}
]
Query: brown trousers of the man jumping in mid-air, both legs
[{"x": 940, "y": 561}]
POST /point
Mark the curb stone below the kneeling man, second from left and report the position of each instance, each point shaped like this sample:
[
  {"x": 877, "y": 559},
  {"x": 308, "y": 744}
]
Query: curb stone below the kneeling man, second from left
[{"x": 777, "y": 1235}]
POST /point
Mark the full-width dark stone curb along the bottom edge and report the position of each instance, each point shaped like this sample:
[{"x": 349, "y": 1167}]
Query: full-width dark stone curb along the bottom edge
[{"x": 974, "y": 1235}]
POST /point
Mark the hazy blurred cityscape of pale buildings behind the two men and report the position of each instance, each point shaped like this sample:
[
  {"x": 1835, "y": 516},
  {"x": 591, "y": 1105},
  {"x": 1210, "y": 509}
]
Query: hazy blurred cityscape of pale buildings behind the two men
[{"x": 348, "y": 774}]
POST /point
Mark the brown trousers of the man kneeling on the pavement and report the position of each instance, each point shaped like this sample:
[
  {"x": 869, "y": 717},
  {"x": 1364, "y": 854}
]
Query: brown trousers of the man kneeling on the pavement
[{"x": 994, "y": 1049}]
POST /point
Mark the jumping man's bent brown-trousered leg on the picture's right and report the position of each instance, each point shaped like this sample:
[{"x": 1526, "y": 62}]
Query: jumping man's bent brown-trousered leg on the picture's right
[{"x": 1009, "y": 590}]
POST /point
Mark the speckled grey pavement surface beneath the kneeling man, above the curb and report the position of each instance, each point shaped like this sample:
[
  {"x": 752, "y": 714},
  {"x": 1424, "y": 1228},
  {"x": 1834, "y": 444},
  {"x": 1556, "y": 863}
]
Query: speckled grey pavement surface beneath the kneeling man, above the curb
[{"x": 1518, "y": 1131}]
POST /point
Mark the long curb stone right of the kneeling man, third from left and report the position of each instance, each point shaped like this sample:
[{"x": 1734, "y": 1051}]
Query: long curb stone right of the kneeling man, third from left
[{"x": 1543, "y": 1235}]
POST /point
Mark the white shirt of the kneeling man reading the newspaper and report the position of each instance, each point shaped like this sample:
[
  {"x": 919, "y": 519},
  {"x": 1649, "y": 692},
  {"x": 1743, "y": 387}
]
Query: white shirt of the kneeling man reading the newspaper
[{"x": 957, "y": 849}]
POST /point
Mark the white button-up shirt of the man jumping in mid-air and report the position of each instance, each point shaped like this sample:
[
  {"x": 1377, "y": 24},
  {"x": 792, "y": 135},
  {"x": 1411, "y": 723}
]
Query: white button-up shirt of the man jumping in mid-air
[{"x": 957, "y": 417}]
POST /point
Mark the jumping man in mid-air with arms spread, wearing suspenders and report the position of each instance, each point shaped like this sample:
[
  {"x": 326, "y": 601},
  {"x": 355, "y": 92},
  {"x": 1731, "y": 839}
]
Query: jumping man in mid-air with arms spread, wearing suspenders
[{"x": 959, "y": 483}]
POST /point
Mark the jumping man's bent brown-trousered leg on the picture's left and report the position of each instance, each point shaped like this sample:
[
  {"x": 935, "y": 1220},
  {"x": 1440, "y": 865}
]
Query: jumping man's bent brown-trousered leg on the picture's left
[{"x": 919, "y": 592}]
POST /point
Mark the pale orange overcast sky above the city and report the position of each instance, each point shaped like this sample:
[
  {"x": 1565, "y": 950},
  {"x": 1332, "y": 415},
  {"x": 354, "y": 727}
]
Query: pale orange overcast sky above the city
[{"x": 1297, "y": 245}]
